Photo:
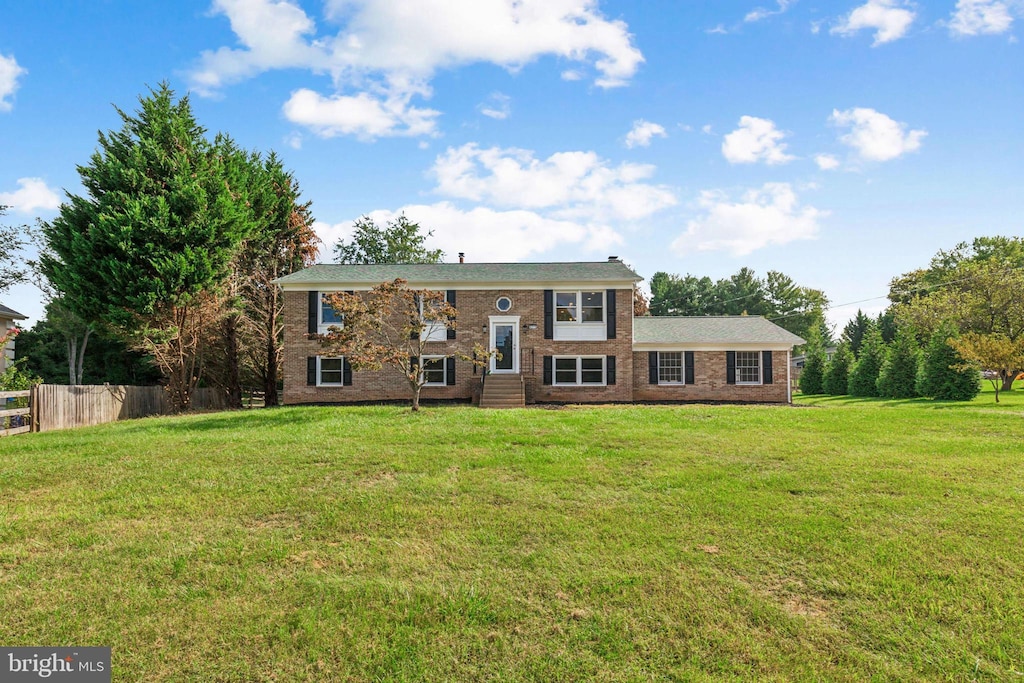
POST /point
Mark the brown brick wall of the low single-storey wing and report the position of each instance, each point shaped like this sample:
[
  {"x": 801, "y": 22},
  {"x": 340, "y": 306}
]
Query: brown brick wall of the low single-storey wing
[{"x": 709, "y": 381}]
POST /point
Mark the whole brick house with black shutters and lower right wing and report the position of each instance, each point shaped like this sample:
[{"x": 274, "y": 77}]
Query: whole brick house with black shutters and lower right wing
[{"x": 566, "y": 331}]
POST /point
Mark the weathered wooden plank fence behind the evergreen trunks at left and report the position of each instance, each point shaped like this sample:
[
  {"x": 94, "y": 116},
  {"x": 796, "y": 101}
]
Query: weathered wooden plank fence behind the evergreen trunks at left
[{"x": 62, "y": 407}]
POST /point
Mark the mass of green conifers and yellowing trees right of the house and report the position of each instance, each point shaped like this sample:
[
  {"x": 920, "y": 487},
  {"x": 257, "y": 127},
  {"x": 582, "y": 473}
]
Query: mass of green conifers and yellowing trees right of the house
[{"x": 963, "y": 315}]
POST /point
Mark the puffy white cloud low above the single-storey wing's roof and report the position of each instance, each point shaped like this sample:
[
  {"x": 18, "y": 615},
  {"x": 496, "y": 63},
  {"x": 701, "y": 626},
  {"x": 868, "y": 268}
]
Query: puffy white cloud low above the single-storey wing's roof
[{"x": 772, "y": 216}]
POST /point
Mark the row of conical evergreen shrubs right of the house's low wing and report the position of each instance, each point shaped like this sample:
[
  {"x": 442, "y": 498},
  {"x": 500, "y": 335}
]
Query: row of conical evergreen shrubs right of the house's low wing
[{"x": 899, "y": 370}]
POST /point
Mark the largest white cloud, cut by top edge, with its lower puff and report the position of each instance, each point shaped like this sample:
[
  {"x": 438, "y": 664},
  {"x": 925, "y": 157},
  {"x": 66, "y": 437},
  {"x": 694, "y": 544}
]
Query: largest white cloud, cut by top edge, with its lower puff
[{"x": 387, "y": 53}]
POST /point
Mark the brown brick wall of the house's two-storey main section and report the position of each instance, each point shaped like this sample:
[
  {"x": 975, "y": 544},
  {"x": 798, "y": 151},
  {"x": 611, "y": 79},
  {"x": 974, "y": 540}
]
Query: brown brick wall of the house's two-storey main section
[{"x": 475, "y": 308}]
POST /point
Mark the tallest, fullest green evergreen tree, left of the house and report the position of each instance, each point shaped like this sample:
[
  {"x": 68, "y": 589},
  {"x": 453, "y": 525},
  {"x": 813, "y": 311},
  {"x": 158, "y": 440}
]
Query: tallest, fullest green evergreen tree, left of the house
[{"x": 156, "y": 232}]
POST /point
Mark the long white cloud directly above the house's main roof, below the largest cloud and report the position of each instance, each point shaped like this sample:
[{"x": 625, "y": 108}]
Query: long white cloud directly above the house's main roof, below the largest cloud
[{"x": 569, "y": 185}]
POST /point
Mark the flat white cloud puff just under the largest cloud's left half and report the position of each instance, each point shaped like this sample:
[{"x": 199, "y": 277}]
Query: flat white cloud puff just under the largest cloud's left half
[{"x": 363, "y": 115}]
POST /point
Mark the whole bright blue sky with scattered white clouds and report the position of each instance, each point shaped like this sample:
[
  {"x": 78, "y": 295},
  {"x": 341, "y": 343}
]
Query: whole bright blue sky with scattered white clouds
[{"x": 842, "y": 143}]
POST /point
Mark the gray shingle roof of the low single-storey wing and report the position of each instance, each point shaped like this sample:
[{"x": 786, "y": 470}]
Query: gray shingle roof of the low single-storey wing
[{"x": 711, "y": 330}]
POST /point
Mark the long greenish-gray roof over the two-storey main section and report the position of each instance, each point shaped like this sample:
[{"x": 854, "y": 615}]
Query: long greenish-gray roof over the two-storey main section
[{"x": 466, "y": 275}]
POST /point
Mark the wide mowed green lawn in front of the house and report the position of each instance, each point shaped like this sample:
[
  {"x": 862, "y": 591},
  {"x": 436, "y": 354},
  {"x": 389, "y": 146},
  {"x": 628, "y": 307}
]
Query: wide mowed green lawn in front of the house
[{"x": 838, "y": 540}]
